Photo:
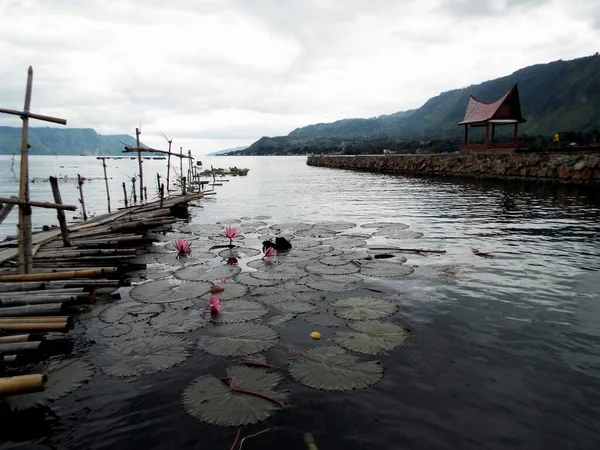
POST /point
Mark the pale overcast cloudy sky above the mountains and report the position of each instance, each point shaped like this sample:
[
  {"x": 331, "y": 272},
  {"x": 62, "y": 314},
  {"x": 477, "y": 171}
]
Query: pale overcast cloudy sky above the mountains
[{"x": 215, "y": 74}]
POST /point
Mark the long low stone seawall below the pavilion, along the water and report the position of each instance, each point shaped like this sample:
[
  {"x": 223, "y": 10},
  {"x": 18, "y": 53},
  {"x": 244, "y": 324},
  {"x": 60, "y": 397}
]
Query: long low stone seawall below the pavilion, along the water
[{"x": 547, "y": 167}]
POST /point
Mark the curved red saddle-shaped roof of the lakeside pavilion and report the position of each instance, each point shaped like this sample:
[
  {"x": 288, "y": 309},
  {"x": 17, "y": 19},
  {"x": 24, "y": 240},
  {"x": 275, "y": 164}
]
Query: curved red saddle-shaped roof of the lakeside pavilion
[{"x": 506, "y": 109}]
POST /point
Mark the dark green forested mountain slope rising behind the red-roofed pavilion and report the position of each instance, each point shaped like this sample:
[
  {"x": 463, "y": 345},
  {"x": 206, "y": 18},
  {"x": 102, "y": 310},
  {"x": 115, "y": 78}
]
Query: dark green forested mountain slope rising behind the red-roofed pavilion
[{"x": 558, "y": 96}]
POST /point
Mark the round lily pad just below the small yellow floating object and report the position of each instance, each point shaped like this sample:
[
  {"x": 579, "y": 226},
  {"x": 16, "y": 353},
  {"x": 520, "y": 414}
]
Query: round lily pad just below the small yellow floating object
[{"x": 332, "y": 369}]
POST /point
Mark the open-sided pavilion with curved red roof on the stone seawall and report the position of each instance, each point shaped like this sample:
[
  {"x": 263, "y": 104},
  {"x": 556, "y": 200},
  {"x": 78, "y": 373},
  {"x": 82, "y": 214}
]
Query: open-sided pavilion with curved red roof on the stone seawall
[{"x": 504, "y": 111}]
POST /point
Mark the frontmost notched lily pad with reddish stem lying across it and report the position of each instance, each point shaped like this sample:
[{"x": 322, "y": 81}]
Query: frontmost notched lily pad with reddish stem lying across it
[{"x": 210, "y": 400}]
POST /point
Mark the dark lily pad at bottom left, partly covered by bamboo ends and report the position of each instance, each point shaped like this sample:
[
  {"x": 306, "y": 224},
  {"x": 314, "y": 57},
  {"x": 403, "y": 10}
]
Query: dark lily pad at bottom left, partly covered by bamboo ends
[{"x": 63, "y": 378}]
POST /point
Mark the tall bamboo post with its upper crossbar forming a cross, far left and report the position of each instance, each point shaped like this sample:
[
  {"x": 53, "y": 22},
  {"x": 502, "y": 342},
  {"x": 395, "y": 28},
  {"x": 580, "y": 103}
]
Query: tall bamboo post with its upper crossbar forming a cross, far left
[{"x": 25, "y": 252}]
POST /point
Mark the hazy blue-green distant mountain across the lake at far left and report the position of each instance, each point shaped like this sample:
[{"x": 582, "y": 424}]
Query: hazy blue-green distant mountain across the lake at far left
[{"x": 63, "y": 141}]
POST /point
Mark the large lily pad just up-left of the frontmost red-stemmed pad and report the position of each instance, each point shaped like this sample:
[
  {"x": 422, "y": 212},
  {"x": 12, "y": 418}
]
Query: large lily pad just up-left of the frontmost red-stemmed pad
[{"x": 144, "y": 355}]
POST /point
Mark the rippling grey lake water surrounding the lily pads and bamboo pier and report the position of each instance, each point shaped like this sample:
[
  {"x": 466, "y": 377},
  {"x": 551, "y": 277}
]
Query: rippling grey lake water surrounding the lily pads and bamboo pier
[{"x": 504, "y": 352}]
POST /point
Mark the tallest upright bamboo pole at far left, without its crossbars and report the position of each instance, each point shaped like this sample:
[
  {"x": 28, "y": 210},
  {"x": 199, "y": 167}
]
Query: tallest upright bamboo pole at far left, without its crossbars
[{"x": 25, "y": 259}]
